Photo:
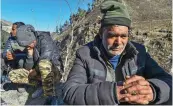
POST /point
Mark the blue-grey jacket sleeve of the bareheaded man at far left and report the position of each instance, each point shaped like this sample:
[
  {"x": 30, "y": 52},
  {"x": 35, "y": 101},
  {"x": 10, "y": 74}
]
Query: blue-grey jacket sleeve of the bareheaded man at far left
[{"x": 7, "y": 47}]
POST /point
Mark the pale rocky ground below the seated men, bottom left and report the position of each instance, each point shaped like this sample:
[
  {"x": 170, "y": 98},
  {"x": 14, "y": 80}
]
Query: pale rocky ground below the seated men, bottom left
[{"x": 22, "y": 96}]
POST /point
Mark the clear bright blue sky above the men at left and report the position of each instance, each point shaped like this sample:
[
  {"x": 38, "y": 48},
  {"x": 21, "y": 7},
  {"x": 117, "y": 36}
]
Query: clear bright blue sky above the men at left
[{"x": 42, "y": 14}]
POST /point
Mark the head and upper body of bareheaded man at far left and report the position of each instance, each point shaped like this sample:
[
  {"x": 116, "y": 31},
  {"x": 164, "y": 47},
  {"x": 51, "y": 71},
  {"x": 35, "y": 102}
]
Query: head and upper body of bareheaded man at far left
[{"x": 13, "y": 54}]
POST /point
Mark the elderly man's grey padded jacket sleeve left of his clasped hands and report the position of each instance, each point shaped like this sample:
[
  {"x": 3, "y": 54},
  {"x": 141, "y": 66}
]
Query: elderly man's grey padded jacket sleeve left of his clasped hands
[{"x": 77, "y": 90}]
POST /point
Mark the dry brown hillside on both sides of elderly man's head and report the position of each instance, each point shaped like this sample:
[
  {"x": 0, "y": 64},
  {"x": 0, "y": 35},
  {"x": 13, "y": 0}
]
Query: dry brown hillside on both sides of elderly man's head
[{"x": 151, "y": 26}]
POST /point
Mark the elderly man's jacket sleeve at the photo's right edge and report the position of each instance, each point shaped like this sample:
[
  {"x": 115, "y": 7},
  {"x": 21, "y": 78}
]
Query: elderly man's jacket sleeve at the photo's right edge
[{"x": 160, "y": 80}]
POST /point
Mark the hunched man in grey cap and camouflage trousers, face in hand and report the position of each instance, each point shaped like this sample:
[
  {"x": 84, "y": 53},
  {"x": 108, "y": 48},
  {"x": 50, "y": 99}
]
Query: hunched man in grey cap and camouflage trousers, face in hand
[{"x": 43, "y": 58}]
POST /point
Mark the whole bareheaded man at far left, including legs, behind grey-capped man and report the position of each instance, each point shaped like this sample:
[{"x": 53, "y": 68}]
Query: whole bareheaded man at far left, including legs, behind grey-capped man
[{"x": 13, "y": 56}]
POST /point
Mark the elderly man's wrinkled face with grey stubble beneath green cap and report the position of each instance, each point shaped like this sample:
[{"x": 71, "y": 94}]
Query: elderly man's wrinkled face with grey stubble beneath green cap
[{"x": 114, "y": 39}]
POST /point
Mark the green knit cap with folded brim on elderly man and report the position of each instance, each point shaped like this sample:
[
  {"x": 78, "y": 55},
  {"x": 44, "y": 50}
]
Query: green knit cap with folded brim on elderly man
[{"x": 115, "y": 13}]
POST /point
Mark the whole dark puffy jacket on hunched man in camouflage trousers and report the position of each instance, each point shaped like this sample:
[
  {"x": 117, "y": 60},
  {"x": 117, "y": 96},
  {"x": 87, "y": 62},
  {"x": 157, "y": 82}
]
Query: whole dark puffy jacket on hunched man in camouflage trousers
[{"x": 45, "y": 49}]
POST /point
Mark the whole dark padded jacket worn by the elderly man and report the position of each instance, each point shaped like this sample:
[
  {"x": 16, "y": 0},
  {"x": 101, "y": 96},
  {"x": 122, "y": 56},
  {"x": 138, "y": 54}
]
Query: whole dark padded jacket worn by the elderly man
[{"x": 87, "y": 85}]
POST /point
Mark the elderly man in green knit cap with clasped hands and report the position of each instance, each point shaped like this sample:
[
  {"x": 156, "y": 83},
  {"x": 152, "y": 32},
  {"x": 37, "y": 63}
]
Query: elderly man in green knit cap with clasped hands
[{"x": 113, "y": 70}]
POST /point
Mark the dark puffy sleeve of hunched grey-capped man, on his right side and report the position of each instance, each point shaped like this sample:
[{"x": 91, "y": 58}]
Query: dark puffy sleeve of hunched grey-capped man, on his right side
[{"x": 48, "y": 51}]
